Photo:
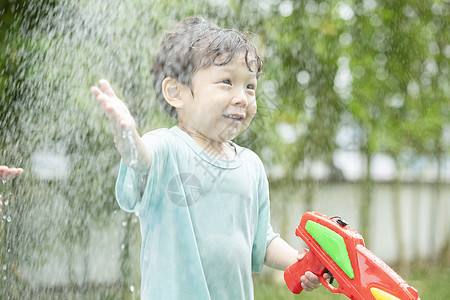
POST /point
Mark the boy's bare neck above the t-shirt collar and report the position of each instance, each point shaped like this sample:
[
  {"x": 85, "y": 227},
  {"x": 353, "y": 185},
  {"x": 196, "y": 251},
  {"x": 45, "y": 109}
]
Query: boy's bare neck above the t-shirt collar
[{"x": 222, "y": 150}]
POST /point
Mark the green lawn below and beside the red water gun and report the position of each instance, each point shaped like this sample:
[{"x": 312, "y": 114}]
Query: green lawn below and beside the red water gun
[{"x": 431, "y": 282}]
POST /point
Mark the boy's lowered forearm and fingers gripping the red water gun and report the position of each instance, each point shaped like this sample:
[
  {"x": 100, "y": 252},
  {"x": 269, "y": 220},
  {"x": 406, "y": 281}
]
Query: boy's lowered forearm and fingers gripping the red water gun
[{"x": 280, "y": 255}]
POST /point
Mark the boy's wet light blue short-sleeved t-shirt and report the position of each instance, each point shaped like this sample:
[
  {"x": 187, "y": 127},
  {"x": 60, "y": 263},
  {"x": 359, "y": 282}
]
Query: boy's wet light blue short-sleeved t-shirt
[{"x": 205, "y": 222}]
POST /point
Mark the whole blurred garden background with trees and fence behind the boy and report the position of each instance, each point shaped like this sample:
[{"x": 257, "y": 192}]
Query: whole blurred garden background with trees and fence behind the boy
[{"x": 353, "y": 119}]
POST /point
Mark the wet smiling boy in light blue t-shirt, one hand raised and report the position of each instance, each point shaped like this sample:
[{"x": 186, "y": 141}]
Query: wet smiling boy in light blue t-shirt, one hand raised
[{"x": 202, "y": 201}]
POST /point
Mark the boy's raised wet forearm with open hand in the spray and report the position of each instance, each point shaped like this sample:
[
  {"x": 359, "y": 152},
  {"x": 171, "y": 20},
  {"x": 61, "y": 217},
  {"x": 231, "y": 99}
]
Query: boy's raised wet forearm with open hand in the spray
[{"x": 127, "y": 140}]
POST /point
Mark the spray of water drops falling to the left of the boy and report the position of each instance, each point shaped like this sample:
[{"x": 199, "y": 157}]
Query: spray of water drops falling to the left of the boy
[{"x": 62, "y": 232}]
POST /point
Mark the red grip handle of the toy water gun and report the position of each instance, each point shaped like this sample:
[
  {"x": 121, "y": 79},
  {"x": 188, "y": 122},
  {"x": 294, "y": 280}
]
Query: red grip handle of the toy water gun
[{"x": 293, "y": 273}]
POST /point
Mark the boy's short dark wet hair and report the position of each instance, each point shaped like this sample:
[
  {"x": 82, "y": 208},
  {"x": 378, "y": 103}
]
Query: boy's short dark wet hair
[{"x": 196, "y": 44}]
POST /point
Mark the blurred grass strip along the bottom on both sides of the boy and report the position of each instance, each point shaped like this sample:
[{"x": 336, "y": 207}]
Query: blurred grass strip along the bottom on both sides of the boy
[{"x": 430, "y": 280}]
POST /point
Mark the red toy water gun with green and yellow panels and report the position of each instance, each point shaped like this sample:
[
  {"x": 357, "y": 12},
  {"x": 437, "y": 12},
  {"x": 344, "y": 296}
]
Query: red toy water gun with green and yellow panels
[{"x": 337, "y": 249}]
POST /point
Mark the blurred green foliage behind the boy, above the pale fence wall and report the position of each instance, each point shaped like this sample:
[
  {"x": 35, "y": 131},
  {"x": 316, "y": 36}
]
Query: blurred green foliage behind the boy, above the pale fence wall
[{"x": 377, "y": 68}]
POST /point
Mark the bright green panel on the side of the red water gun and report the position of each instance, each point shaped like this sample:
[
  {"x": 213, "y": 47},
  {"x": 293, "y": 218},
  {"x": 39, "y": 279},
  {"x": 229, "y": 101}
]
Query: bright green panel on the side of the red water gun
[{"x": 333, "y": 244}]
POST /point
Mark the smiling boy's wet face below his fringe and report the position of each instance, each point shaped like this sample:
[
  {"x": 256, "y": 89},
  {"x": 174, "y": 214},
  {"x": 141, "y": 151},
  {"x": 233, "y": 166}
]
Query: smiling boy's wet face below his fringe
[{"x": 222, "y": 103}]
